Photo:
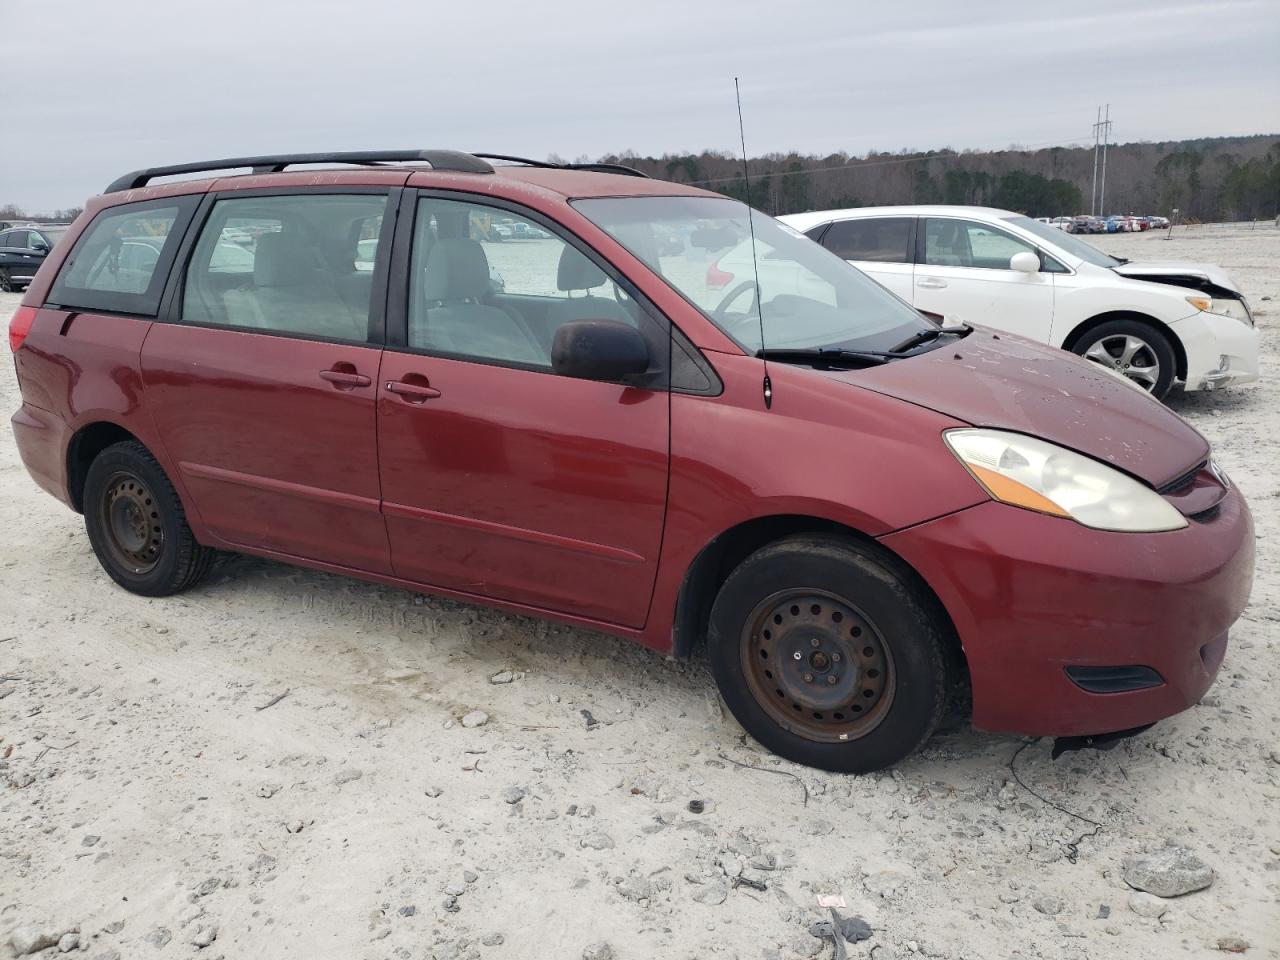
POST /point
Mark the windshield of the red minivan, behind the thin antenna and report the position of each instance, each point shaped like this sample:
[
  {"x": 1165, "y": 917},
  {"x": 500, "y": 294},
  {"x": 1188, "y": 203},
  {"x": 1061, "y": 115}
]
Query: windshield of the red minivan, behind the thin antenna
[{"x": 702, "y": 246}]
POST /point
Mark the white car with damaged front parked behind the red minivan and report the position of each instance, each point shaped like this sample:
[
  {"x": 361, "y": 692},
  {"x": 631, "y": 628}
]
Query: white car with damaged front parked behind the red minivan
[{"x": 1156, "y": 324}]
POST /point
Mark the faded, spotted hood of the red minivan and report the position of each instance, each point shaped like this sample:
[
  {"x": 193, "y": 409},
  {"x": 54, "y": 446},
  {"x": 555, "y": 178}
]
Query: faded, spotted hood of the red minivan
[{"x": 1004, "y": 382}]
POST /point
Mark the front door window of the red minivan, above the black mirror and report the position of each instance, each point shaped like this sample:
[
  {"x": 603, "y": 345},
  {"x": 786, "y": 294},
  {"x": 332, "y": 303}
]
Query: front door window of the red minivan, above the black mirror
[{"x": 491, "y": 286}]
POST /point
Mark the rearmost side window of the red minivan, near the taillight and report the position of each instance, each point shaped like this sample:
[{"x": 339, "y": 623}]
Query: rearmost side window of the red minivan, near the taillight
[{"x": 121, "y": 263}]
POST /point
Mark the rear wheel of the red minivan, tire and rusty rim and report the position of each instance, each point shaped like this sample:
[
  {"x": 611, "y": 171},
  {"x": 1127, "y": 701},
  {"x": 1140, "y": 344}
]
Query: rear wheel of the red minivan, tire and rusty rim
[{"x": 138, "y": 527}]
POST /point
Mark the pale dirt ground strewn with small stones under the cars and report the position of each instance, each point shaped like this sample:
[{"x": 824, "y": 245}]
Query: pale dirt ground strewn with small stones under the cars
[{"x": 158, "y": 792}]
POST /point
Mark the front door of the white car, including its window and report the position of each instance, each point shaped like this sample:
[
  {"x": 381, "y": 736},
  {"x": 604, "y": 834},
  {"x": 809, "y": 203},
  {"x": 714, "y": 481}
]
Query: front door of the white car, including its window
[{"x": 964, "y": 276}]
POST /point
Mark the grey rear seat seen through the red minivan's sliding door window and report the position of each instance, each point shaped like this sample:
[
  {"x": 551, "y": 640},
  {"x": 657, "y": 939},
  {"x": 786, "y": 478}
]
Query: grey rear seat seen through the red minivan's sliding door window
[{"x": 294, "y": 292}]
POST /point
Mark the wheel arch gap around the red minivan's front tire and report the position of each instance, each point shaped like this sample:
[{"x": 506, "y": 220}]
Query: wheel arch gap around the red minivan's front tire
[{"x": 719, "y": 559}]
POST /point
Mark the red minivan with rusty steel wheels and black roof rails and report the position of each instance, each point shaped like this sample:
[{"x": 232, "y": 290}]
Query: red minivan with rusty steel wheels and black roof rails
[{"x": 515, "y": 385}]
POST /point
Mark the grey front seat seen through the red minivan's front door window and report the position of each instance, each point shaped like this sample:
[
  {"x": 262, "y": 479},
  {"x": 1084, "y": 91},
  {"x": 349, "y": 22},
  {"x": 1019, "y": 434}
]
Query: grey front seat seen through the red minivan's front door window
[{"x": 451, "y": 317}]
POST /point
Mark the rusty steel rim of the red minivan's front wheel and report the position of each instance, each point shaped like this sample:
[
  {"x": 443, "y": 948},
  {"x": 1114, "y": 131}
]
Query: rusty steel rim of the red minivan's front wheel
[{"x": 842, "y": 684}]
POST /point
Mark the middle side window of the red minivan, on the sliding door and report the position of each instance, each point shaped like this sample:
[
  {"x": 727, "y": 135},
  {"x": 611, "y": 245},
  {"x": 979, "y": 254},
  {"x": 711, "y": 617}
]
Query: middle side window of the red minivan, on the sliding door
[{"x": 296, "y": 264}]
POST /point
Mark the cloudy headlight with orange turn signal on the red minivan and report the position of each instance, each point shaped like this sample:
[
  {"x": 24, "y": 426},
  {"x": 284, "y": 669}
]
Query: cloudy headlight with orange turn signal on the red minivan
[{"x": 1043, "y": 477}]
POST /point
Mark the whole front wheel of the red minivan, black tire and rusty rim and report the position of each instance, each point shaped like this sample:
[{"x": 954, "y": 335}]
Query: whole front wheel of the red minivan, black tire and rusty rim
[{"x": 803, "y": 712}]
